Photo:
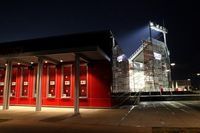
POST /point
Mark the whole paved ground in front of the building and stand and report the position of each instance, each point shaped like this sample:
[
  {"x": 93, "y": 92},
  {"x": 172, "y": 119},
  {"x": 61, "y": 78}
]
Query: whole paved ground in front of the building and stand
[{"x": 146, "y": 117}]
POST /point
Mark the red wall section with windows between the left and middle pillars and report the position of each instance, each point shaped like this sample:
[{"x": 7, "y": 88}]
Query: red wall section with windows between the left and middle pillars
[{"x": 23, "y": 79}]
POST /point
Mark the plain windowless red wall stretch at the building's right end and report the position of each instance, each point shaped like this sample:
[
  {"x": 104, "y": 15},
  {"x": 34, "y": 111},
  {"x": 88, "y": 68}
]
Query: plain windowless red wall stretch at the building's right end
[{"x": 100, "y": 79}]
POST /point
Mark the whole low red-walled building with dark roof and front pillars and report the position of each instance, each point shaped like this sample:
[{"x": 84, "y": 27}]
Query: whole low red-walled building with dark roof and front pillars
[{"x": 69, "y": 71}]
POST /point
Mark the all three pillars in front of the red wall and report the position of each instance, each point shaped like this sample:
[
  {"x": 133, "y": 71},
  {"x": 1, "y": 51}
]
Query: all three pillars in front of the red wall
[{"x": 8, "y": 82}]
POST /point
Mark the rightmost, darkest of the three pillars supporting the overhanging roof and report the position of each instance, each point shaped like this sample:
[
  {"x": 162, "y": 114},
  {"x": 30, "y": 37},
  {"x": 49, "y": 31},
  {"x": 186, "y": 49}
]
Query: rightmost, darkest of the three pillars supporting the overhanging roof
[{"x": 77, "y": 81}]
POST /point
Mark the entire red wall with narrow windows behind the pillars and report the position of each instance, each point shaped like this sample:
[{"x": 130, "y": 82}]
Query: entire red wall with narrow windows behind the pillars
[{"x": 58, "y": 85}]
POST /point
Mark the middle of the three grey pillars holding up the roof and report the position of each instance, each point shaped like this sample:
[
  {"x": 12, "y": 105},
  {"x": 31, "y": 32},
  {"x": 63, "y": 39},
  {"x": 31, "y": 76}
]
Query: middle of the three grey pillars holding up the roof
[{"x": 39, "y": 85}]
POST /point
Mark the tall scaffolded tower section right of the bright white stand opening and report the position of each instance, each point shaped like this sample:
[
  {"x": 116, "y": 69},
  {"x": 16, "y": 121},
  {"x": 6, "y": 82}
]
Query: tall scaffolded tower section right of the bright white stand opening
[{"x": 156, "y": 66}]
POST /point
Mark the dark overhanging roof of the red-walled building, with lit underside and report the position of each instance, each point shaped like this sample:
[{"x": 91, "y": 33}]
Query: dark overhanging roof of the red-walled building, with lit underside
[{"x": 90, "y": 46}]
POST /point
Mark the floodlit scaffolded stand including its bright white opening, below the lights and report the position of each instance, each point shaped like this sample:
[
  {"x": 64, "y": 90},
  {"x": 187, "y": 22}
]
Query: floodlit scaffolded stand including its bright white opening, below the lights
[{"x": 153, "y": 73}]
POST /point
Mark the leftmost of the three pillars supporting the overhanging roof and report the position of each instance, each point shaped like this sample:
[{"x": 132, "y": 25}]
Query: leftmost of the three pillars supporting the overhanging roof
[{"x": 7, "y": 85}]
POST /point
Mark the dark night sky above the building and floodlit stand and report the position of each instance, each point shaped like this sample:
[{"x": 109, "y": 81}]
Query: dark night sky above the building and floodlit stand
[{"x": 24, "y": 19}]
